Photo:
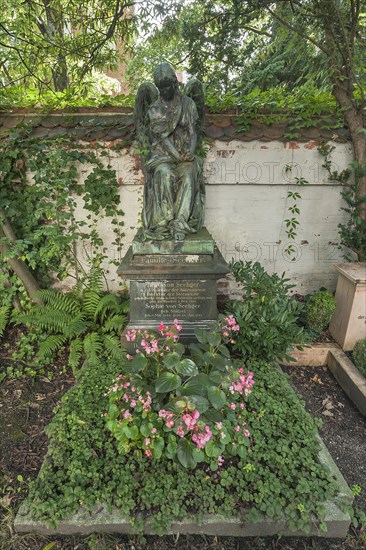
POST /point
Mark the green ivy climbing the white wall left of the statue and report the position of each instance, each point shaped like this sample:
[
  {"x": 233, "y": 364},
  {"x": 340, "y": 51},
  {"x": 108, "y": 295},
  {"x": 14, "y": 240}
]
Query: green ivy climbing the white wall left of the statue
[{"x": 43, "y": 215}]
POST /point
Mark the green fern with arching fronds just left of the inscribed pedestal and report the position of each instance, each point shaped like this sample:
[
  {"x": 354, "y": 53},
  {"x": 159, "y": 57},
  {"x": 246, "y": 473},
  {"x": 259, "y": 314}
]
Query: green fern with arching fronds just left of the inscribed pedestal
[{"x": 87, "y": 320}]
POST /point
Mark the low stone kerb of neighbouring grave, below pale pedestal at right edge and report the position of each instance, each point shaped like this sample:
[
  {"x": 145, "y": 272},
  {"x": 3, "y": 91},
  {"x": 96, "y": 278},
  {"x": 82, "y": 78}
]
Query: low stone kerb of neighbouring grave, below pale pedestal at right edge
[{"x": 349, "y": 377}]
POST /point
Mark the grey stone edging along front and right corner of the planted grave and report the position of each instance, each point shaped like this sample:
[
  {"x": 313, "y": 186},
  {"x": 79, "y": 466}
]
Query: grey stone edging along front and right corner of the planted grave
[{"x": 104, "y": 520}]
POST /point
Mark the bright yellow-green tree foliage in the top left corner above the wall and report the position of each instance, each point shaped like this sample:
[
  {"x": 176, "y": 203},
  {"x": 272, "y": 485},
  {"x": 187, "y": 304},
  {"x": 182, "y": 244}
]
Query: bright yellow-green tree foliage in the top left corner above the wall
[{"x": 50, "y": 46}]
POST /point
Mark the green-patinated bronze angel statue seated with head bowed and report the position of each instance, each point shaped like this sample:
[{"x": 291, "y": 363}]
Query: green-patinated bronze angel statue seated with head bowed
[{"x": 169, "y": 127}]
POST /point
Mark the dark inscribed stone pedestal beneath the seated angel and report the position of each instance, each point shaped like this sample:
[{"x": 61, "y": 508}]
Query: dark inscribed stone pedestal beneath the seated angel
[{"x": 173, "y": 280}]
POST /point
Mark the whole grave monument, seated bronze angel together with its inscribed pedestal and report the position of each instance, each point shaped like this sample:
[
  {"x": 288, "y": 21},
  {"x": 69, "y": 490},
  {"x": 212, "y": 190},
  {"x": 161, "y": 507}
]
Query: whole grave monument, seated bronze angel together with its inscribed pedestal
[{"x": 173, "y": 263}]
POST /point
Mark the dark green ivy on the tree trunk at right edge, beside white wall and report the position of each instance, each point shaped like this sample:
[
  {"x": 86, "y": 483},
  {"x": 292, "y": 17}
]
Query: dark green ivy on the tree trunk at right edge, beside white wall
[{"x": 353, "y": 232}]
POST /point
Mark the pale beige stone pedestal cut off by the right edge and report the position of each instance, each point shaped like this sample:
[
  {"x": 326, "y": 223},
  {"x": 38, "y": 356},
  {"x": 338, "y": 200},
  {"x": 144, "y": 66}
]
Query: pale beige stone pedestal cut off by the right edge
[{"x": 348, "y": 324}]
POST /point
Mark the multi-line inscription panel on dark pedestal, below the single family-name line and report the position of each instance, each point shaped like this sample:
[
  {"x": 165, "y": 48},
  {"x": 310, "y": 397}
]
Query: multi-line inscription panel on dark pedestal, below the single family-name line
[{"x": 182, "y": 299}]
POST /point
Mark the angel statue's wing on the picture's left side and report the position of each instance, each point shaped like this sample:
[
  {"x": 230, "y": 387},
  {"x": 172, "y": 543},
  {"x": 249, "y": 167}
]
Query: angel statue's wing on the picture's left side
[{"x": 147, "y": 93}]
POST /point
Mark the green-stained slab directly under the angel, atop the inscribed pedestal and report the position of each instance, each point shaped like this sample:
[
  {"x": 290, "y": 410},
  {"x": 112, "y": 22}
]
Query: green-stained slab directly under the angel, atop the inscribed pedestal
[{"x": 197, "y": 243}]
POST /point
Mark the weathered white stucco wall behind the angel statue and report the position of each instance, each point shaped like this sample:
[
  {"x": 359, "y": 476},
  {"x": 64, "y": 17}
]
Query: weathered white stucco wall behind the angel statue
[{"x": 247, "y": 205}]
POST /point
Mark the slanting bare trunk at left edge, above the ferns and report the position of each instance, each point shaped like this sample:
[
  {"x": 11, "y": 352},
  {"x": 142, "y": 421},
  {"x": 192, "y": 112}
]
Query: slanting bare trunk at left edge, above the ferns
[{"x": 17, "y": 265}]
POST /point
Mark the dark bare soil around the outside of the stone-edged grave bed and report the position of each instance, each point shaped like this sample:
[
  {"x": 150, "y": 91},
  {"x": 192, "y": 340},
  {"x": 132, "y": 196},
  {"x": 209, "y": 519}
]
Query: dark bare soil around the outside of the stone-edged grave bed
[{"x": 26, "y": 407}]
